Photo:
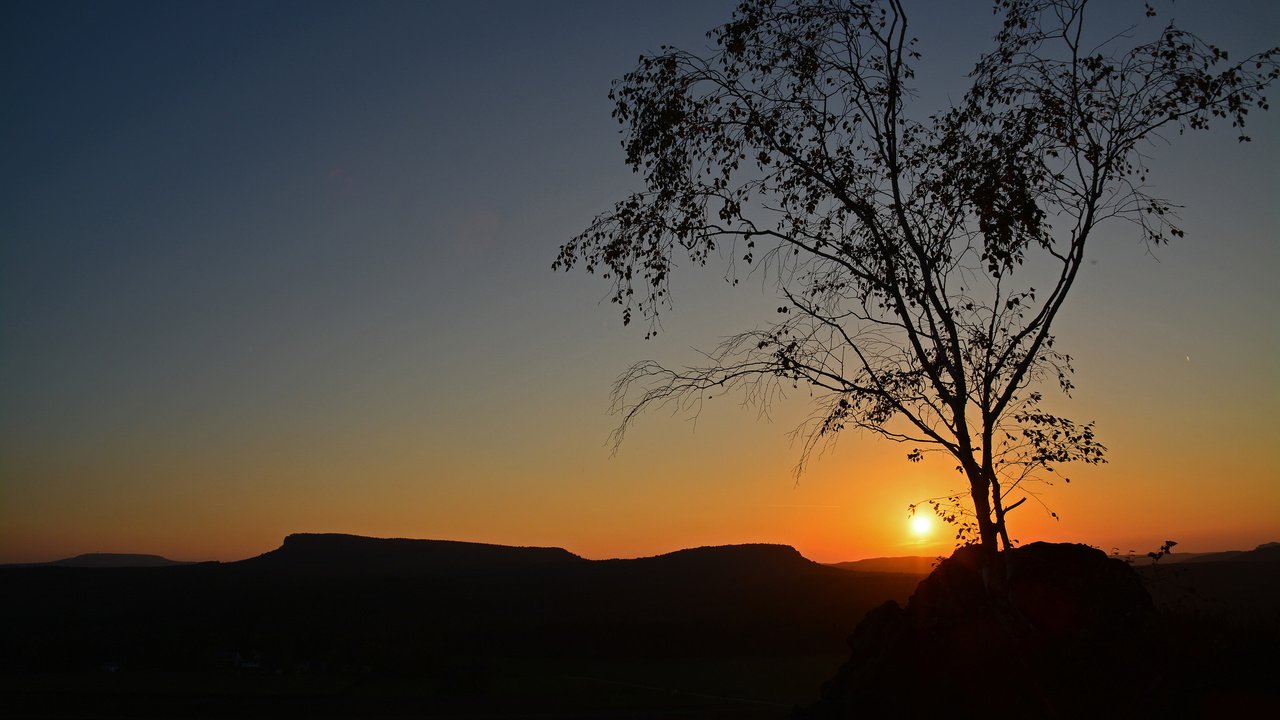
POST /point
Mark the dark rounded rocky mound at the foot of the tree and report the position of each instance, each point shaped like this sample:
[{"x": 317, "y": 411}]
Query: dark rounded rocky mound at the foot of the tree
[{"x": 1044, "y": 631}]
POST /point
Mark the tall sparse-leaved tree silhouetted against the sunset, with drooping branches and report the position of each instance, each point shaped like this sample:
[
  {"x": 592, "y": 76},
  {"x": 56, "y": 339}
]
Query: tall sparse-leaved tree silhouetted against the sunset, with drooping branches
[{"x": 904, "y": 252}]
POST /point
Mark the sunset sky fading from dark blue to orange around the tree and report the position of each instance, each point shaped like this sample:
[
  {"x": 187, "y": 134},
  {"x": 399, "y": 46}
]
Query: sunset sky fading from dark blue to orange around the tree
[{"x": 285, "y": 267}]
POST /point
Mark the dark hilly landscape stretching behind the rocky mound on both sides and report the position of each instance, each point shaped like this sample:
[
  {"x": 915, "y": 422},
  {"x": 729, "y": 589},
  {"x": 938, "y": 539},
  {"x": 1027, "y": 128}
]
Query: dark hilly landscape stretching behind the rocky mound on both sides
[{"x": 345, "y": 627}]
